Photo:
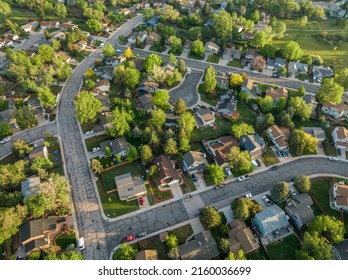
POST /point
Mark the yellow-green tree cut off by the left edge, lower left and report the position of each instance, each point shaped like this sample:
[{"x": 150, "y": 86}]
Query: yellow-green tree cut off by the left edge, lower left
[{"x": 10, "y": 221}]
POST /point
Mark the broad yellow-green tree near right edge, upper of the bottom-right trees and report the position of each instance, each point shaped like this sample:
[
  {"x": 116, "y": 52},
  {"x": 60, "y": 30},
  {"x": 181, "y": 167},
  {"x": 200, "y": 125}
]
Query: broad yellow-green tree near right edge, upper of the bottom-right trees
[{"x": 328, "y": 227}]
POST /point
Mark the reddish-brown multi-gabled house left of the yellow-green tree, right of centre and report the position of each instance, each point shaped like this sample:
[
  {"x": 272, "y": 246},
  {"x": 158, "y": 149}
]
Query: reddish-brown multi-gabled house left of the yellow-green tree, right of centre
[{"x": 218, "y": 148}]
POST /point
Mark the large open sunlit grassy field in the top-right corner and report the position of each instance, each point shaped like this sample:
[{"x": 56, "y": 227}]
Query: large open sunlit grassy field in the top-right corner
[{"x": 335, "y": 55}]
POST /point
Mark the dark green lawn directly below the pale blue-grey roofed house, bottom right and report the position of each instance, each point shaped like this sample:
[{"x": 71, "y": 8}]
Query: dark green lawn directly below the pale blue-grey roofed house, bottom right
[{"x": 284, "y": 249}]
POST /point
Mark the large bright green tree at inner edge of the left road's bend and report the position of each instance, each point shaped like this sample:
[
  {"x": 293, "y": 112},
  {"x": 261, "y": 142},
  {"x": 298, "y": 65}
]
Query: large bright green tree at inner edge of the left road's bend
[{"x": 86, "y": 106}]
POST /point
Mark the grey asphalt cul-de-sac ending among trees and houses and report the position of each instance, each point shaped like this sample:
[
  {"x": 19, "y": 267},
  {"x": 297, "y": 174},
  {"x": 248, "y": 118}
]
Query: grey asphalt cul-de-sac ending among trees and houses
[{"x": 187, "y": 90}]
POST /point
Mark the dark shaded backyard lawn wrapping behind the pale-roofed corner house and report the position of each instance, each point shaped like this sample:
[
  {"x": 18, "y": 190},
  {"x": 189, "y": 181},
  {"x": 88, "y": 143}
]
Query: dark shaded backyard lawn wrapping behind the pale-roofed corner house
[{"x": 108, "y": 176}]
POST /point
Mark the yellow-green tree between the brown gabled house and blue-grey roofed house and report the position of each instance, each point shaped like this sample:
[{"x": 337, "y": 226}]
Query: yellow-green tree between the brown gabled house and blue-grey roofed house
[{"x": 240, "y": 161}]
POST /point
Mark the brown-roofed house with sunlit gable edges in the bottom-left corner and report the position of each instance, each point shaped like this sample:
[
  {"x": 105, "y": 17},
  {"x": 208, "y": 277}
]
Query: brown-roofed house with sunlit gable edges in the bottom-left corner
[{"x": 35, "y": 234}]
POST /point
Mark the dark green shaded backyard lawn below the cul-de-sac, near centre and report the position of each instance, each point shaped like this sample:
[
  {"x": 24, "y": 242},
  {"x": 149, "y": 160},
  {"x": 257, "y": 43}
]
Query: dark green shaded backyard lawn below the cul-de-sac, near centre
[{"x": 222, "y": 127}]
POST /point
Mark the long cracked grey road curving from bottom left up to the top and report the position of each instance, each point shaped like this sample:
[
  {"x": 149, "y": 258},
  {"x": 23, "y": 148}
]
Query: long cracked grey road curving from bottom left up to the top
[{"x": 85, "y": 197}]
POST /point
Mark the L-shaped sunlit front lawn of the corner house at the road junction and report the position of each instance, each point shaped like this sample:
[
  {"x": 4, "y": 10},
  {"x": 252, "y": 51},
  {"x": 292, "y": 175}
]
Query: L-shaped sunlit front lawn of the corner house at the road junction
[{"x": 112, "y": 205}]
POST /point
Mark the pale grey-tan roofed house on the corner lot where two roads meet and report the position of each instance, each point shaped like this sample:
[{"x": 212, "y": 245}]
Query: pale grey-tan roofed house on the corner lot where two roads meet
[{"x": 129, "y": 188}]
